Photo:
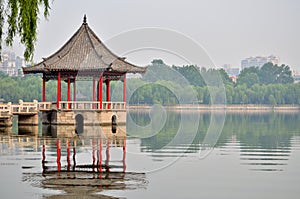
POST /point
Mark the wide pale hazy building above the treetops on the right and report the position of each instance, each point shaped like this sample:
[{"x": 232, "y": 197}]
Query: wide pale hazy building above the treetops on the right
[{"x": 259, "y": 61}]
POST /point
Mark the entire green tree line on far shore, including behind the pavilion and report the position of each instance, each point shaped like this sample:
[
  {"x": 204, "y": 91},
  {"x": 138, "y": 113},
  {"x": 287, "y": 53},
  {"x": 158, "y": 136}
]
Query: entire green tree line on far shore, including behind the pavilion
[{"x": 162, "y": 84}]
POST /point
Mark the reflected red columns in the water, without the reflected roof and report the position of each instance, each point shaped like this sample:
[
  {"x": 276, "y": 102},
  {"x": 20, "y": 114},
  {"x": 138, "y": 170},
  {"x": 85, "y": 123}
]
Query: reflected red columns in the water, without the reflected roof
[{"x": 68, "y": 147}]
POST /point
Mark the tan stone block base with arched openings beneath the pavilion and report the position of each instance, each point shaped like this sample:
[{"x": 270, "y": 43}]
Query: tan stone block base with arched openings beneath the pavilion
[{"x": 87, "y": 123}]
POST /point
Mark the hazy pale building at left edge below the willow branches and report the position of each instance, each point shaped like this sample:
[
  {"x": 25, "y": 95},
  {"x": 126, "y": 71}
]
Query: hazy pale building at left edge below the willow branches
[{"x": 11, "y": 65}]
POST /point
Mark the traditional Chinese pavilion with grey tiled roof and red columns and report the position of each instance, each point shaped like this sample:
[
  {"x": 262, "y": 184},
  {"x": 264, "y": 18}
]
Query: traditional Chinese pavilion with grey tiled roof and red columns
[{"x": 83, "y": 57}]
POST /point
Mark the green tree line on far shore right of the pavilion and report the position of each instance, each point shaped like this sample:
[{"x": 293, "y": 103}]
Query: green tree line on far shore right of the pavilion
[{"x": 270, "y": 84}]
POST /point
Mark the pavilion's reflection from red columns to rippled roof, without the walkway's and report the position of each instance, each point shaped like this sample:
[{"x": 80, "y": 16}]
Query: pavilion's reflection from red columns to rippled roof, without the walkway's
[{"x": 62, "y": 168}]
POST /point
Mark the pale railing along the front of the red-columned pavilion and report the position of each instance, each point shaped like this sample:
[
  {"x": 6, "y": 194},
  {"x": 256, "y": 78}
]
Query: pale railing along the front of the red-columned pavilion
[{"x": 86, "y": 105}]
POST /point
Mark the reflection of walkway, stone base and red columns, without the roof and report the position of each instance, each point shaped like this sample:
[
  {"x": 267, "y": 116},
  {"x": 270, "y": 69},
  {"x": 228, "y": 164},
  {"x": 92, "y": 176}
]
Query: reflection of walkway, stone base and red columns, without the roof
[{"x": 98, "y": 138}]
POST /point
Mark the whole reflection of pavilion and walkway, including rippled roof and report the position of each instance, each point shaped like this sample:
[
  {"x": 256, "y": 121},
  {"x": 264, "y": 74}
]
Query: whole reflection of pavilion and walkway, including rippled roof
[{"x": 80, "y": 166}]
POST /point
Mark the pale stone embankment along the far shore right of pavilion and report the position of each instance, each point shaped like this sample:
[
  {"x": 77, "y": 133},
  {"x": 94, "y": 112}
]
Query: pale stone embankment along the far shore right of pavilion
[{"x": 227, "y": 108}]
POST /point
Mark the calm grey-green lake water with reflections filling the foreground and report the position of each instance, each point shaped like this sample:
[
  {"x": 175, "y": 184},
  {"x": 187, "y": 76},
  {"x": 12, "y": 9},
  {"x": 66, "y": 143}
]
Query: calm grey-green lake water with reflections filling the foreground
[{"x": 256, "y": 155}]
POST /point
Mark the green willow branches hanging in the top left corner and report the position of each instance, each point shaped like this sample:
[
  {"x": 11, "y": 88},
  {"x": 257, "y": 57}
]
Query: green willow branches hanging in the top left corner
[{"x": 21, "y": 17}]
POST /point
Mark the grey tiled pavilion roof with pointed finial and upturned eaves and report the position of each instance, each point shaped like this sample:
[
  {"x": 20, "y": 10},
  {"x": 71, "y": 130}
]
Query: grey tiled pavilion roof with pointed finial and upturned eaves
[{"x": 84, "y": 52}]
